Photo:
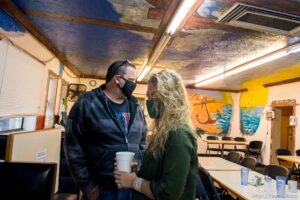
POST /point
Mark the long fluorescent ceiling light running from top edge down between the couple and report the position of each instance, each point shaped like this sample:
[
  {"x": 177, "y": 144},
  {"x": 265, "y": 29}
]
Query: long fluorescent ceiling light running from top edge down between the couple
[{"x": 176, "y": 20}]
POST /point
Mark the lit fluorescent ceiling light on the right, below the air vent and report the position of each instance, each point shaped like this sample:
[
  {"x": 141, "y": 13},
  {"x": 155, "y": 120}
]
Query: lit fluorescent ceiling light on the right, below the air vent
[{"x": 251, "y": 64}]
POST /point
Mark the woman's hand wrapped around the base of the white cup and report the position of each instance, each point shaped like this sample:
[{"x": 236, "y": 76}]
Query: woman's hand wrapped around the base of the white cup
[{"x": 124, "y": 179}]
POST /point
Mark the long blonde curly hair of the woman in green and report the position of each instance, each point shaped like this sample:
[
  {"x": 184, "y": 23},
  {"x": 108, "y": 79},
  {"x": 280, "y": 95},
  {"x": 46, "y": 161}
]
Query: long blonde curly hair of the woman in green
[{"x": 169, "y": 89}]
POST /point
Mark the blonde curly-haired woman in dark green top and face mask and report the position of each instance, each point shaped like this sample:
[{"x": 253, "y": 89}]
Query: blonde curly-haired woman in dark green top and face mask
[{"x": 170, "y": 164}]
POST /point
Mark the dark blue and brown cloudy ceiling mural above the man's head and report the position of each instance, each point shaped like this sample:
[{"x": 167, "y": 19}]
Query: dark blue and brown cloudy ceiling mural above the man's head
[{"x": 92, "y": 48}]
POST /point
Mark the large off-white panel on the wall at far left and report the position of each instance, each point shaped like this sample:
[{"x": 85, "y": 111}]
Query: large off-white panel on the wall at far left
[{"x": 21, "y": 83}]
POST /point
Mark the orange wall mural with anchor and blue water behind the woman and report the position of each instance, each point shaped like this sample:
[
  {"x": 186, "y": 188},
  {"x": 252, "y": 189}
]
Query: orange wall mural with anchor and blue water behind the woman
[{"x": 211, "y": 111}]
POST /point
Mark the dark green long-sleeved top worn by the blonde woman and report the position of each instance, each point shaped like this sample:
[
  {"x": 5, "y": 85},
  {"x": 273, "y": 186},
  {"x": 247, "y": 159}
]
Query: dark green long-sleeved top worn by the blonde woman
[{"x": 174, "y": 175}]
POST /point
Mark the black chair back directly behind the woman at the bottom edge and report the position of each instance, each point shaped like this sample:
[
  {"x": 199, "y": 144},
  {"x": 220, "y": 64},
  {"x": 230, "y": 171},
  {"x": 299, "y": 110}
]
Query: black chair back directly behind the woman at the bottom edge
[{"x": 208, "y": 184}]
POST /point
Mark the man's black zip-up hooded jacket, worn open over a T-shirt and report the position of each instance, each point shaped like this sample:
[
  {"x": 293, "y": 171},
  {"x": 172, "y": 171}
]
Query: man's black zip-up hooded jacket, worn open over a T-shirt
[{"x": 94, "y": 135}]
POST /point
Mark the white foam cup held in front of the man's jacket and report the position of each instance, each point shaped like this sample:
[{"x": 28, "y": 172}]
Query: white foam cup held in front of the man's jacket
[{"x": 124, "y": 160}]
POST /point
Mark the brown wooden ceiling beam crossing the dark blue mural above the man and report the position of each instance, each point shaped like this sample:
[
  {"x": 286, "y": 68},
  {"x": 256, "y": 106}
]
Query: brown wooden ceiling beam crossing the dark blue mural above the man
[{"x": 86, "y": 20}]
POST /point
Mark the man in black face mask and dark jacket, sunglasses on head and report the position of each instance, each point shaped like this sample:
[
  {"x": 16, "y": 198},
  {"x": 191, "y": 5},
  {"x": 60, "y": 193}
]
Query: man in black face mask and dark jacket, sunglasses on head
[{"x": 102, "y": 122}]
